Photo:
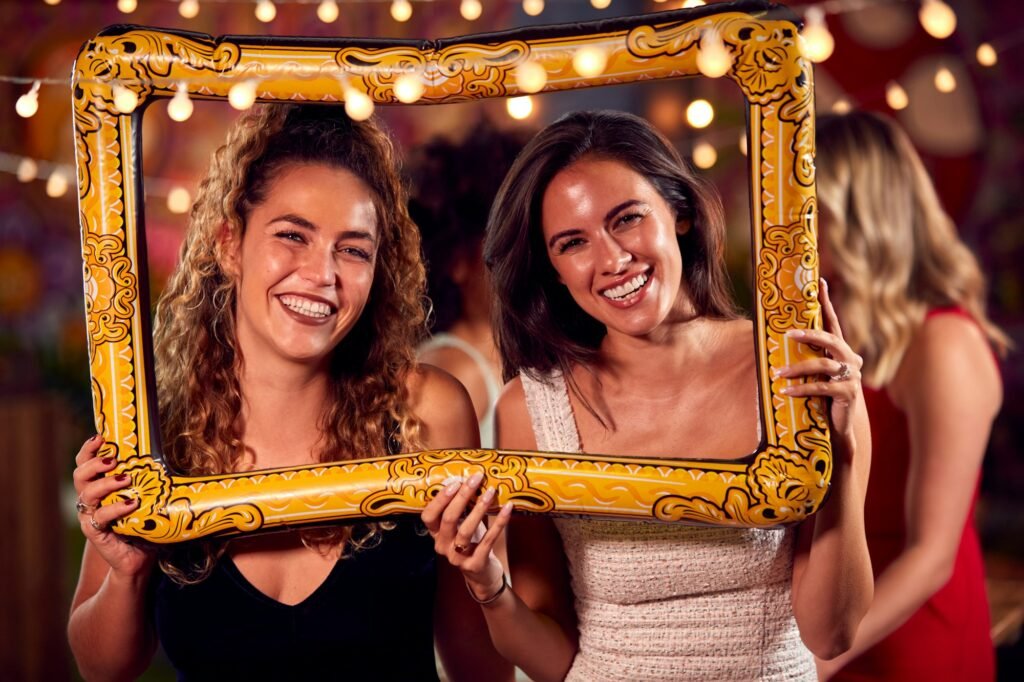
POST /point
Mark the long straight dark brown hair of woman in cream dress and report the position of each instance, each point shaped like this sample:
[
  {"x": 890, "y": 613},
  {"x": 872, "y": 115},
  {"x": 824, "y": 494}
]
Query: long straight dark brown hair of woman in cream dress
[{"x": 538, "y": 326}]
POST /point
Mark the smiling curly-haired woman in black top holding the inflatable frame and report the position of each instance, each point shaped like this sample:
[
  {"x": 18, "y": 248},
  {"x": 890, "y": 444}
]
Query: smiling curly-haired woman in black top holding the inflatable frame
[{"x": 285, "y": 337}]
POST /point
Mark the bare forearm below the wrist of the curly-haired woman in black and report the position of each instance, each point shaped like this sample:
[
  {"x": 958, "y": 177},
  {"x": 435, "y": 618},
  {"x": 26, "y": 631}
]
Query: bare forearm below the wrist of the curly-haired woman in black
[{"x": 110, "y": 633}]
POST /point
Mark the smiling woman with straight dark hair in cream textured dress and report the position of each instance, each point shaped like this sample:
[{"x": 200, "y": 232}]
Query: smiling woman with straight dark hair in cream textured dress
[{"x": 617, "y": 330}]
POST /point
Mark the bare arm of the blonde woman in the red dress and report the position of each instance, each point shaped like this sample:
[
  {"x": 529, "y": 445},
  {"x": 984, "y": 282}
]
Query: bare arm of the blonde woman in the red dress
[{"x": 950, "y": 390}]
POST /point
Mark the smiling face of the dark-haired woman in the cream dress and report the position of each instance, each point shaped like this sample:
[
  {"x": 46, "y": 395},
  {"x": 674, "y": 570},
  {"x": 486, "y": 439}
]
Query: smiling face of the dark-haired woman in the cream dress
[{"x": 613, "y": 241}]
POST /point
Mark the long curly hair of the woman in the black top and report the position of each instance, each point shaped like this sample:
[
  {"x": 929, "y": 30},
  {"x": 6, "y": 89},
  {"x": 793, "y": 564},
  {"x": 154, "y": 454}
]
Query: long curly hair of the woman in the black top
[{"x": 197, "y": 360}]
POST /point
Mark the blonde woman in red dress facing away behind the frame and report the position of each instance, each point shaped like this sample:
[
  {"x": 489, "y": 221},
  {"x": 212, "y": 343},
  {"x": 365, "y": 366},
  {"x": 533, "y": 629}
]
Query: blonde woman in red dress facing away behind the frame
[{"x": 913, "y": 302}]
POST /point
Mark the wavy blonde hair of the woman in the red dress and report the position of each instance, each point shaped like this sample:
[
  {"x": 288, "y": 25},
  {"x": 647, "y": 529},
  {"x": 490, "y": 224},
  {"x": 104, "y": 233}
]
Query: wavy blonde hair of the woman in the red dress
[{"x": 897, "y": 251}]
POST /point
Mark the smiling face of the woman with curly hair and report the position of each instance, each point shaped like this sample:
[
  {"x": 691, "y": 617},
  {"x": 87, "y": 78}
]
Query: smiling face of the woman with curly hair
[{"x": 306, "y": 265}]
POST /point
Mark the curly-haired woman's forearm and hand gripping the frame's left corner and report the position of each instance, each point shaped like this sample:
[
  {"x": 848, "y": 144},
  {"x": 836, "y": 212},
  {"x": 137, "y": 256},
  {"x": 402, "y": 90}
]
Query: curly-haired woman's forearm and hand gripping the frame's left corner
[{"x": 110, "y": 629}]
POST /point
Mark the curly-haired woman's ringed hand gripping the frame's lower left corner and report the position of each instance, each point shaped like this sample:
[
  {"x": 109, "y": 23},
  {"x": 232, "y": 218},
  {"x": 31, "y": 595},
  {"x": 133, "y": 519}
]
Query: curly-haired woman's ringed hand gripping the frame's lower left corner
[{"x": 91, "y": 484}]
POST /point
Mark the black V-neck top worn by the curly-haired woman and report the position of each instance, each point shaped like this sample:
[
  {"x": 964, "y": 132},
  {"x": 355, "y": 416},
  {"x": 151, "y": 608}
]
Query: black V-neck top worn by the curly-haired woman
[{"x": 372, "y": 619}]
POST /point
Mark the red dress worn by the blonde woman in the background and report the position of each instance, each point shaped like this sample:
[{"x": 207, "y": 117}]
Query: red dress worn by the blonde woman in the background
[{"x": 949, "y": 637}]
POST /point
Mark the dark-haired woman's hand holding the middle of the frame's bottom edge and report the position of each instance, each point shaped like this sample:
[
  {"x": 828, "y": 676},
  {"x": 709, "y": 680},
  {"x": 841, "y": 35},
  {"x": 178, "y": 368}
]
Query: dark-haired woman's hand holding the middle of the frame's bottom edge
[{"x": 463, "y": 539}]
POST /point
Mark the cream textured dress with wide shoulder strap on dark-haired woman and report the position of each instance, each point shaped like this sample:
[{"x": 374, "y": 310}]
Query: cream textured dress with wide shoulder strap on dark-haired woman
[{"x": 659, "y": 602}]
